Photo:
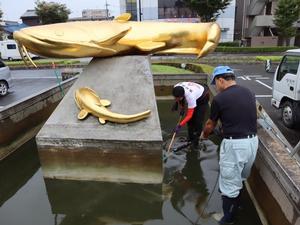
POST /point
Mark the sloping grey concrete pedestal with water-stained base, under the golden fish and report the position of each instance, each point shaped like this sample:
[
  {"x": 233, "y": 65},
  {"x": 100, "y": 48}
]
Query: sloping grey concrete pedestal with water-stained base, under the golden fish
[{"x": 86, "y": 150}]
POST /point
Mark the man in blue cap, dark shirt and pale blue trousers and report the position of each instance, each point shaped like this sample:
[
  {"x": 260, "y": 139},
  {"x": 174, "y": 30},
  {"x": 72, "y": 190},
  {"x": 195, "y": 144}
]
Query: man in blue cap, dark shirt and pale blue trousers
[{"x": 235, "y": 107}]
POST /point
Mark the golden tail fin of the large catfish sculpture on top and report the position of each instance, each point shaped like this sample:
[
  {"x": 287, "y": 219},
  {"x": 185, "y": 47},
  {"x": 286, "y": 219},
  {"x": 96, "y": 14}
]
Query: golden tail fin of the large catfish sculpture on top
[{"x": 213, "y": 37}]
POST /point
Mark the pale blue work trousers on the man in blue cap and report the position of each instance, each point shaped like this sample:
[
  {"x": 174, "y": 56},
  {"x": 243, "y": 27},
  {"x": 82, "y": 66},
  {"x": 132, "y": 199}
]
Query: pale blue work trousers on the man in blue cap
[{"x": 236, "y": 159}]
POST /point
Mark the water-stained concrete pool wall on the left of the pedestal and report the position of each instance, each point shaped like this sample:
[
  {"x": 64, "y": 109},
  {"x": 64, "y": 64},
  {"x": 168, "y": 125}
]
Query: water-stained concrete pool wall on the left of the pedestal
[{"x": 21, "y": 122}]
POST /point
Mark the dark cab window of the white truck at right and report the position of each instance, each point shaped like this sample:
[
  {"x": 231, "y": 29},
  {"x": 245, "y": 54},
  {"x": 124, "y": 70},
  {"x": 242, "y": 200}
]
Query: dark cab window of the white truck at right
[{"x": 289, "y": 64}]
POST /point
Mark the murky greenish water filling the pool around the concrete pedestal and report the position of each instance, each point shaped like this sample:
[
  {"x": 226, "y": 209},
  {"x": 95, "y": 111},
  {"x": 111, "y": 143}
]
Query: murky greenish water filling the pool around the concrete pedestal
[{"x": 188, "y": 195}]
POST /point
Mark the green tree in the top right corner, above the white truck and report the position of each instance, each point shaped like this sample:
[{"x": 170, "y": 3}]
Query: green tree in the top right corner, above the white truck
[{"x": 286, "y": 14}]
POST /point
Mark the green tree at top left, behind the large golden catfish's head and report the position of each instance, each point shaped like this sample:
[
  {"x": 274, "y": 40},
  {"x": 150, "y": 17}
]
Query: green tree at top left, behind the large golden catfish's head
[{"x": 51, "y": 12}]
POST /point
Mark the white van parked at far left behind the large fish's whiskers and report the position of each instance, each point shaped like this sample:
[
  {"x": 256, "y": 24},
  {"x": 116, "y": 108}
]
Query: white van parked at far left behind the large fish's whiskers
[{"x": 9, "y": 50}]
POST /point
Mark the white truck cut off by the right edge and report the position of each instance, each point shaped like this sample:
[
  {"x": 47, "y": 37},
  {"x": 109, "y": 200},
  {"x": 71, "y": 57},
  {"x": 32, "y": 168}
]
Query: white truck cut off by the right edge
[{"x": 286, "y": 88}]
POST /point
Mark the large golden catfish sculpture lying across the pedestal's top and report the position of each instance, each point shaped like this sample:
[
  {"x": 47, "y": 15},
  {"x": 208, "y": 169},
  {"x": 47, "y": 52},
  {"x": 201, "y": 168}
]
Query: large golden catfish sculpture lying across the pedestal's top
[{"x": 117, "y": 37}]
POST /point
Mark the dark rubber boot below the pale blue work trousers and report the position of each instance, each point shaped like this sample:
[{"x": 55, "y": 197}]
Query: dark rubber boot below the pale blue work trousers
[{"x": 230, "y": 206}]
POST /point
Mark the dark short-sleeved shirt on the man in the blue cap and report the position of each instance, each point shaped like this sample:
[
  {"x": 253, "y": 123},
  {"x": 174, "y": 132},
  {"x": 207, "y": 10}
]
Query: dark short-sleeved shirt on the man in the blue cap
[{"x": 236, "y": 109}]
